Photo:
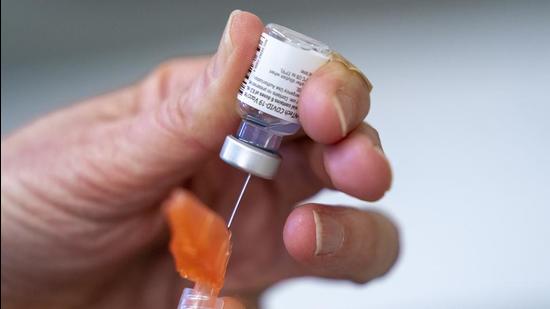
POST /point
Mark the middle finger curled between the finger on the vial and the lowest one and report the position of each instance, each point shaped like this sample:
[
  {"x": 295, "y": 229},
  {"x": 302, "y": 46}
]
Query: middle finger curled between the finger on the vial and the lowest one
[{"x": 308, "y": 167}]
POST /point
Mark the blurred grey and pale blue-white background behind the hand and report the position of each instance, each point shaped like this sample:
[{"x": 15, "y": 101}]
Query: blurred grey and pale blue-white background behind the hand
[{"x": 461, "y": 99}]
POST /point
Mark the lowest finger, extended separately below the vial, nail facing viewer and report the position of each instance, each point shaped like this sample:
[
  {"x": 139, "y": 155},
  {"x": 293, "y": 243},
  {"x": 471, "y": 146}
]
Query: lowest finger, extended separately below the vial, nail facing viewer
[{"x": 341, "y": 242}]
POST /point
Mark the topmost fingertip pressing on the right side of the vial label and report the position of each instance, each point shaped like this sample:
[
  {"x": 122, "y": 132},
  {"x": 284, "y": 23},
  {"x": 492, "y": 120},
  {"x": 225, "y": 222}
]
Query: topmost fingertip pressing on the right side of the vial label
[{"x": 333, "y": 102}]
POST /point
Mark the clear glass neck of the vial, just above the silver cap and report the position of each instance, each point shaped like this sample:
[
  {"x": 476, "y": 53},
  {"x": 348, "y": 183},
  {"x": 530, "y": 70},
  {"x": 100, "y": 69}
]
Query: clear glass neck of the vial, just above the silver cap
[{"x": 259, "y": 136}]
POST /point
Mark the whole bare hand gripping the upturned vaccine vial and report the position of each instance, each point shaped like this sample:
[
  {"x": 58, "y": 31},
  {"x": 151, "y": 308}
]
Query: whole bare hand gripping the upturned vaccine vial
[{"x": 82, "y": 187}]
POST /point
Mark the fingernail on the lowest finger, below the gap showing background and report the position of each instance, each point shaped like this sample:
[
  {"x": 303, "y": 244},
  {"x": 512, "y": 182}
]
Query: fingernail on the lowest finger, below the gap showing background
[{"x": 329, "y": 234}]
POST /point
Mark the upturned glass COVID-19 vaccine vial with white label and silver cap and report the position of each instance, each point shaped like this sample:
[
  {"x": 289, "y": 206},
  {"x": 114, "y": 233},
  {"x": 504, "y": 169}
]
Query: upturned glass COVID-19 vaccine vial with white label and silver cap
[{"x": 268, "y": 98}]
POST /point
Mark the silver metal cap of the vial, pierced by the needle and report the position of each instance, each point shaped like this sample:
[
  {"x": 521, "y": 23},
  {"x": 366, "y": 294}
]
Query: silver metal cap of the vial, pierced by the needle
[{"x": 249, "y": 158}]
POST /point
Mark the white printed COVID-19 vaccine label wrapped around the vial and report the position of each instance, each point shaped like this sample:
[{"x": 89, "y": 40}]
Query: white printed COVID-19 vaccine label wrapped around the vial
[{"x": 276, "y": 77}]
